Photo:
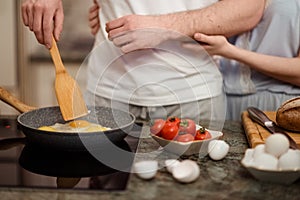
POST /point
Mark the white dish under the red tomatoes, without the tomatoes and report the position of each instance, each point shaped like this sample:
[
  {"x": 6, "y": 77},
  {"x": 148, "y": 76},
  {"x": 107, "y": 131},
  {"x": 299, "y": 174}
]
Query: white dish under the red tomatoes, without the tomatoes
[{"x": 187, "y": 148}]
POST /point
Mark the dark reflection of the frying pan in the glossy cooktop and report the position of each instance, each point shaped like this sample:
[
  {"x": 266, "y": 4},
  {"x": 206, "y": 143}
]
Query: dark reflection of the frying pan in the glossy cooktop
[{"x": 69, "y": 164}]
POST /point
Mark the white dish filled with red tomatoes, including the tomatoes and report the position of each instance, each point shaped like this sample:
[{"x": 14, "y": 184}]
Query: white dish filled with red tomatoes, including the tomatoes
[{"x": 182, "y": 136}]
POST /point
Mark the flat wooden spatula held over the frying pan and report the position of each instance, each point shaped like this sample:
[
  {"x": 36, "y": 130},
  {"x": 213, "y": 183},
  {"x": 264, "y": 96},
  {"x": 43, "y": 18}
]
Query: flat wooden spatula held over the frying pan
[{"x": 68, "y": 93}]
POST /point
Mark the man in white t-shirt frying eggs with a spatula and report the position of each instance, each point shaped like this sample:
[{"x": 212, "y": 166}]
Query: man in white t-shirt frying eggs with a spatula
[{"x": 161, "y": 79}]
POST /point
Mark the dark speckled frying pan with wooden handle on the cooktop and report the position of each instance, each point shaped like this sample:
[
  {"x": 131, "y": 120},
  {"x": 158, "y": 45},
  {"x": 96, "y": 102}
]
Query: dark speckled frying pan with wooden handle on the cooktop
[{"x": 31, "y": 119}]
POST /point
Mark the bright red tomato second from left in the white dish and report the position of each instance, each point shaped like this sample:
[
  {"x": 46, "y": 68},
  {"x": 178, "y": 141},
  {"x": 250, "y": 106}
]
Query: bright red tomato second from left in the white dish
[{"x": 171, "y": 128}]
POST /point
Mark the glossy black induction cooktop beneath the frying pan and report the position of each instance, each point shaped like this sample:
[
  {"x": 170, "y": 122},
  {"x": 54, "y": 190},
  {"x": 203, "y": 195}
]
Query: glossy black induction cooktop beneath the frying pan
[{"x": 25, "y": 166}]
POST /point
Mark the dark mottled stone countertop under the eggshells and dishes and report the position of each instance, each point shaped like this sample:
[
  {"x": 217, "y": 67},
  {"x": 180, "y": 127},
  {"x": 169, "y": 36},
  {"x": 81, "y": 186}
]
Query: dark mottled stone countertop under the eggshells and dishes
[{"x": 225, "y": 179}]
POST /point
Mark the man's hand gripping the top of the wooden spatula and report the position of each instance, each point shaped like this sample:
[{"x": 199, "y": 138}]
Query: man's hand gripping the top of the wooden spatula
[{"x": 44, "y": 18}]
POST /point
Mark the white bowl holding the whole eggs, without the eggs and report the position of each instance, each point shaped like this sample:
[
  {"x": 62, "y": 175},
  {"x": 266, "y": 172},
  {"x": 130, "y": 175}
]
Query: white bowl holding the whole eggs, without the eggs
[{"x": 273, "y": 176}]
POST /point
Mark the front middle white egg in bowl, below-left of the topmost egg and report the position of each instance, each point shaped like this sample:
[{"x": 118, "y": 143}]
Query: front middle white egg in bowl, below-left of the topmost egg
[{"x": 266, "y": 161}]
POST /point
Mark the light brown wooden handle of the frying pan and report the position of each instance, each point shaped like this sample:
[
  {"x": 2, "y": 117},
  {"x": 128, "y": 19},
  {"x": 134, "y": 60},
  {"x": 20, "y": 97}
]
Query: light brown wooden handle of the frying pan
[{"x": 11, "y": 100}]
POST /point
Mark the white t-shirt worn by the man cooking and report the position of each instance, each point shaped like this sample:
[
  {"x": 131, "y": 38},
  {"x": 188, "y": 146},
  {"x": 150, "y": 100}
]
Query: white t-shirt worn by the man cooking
[{"x": 165, "y": 75}]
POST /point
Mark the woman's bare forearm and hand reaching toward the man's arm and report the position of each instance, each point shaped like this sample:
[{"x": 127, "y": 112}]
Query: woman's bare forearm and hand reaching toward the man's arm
[{"x": 281, "y": 68}]
